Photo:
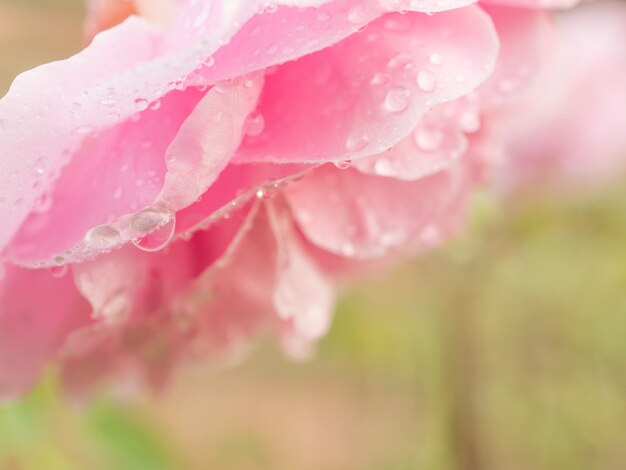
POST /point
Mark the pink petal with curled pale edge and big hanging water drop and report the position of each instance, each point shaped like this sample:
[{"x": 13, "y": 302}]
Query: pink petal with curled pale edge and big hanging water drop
[{"x": 175, "y": 152}]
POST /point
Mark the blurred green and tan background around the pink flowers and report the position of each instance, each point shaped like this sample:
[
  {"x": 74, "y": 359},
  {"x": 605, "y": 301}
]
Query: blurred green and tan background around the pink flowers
[{"x": 506, "y": 350}]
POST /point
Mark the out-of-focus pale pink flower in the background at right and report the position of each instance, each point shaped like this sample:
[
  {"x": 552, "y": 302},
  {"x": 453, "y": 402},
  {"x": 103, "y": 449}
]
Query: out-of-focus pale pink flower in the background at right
[{"x": 570, "y": 130}]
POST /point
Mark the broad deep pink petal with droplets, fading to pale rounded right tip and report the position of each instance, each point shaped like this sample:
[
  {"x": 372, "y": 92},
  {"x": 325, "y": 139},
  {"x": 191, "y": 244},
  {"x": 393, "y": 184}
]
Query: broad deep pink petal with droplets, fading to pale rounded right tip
[{"x": 368, "y": 92}]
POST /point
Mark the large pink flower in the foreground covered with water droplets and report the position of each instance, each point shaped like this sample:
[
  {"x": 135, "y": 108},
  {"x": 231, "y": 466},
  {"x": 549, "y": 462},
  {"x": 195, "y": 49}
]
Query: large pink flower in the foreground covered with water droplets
[{"x": 209, "y": 171}]
